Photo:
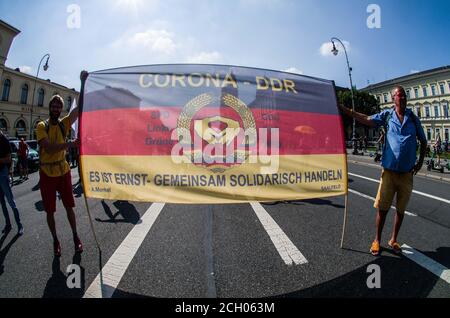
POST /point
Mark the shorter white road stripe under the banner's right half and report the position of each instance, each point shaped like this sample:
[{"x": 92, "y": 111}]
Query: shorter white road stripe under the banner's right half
[{"x": 287, "y": 250}]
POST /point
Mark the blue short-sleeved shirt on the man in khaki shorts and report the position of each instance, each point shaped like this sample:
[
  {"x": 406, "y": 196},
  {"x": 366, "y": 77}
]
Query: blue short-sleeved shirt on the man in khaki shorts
[{"x": 399, "y": 152}]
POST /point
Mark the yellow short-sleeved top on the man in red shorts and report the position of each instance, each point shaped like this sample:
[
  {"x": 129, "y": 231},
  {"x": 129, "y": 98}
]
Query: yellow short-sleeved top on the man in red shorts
[{"x": 55, "y": 164}]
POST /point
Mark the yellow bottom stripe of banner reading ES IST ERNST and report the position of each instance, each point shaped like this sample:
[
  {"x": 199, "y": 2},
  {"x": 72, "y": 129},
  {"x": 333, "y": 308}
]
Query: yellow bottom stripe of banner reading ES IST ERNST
[{"x": 160, "y": 179}]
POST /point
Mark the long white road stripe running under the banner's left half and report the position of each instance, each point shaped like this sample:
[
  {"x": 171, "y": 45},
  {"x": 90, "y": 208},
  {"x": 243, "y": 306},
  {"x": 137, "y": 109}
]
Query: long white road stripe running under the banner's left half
[{"x": 108, "y": 279}]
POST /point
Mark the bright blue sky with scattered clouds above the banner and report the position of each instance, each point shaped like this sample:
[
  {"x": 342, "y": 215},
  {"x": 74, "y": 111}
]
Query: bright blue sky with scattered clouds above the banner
[{"x": 273, "y": 34}]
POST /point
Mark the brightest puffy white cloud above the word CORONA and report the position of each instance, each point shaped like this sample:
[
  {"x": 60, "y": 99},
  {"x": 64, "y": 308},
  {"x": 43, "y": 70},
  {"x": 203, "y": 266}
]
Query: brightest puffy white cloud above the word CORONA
[{"x": 157, "y": 41}]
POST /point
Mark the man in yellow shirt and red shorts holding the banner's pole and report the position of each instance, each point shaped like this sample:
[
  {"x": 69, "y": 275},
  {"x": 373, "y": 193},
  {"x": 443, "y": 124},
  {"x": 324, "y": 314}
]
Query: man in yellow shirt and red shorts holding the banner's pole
[{"x": 54, "y": 170}]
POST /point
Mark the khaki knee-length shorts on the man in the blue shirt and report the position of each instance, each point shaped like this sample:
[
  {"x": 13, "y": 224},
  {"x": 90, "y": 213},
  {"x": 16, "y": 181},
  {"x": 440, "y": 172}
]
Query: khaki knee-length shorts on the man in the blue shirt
[{"x": 392, "y": 183}]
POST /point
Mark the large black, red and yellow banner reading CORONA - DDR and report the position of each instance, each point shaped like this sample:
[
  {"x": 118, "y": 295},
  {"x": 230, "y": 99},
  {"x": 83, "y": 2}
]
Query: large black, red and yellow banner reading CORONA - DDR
[{"x": 210, "y": 134}]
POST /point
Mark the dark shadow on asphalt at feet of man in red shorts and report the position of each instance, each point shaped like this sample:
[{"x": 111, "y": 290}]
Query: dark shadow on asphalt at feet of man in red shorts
[{"x": 56, "y": 286}]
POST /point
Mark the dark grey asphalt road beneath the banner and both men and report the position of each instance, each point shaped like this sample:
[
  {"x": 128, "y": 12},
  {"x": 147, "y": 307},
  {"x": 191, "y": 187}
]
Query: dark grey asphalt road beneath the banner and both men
[{"x": 225, "y": 251}]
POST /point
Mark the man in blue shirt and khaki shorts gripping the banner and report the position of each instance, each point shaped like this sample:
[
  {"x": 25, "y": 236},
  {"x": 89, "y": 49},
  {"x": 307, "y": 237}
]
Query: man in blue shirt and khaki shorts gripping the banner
[{"x": 398, "y": 161}]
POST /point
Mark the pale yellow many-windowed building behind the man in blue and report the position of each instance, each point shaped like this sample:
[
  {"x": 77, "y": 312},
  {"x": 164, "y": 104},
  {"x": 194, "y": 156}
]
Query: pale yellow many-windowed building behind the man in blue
[{"x": 428, "y": 95}]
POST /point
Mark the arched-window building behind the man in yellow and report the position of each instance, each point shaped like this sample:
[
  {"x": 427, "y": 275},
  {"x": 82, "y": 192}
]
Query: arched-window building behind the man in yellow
[{"x": 24, "y": 98}]
